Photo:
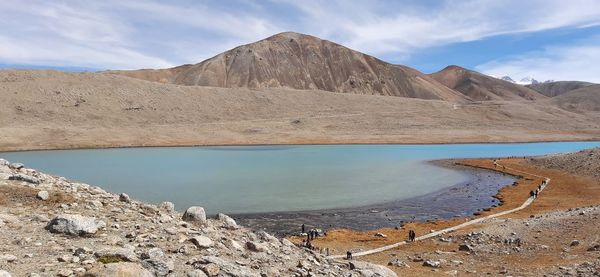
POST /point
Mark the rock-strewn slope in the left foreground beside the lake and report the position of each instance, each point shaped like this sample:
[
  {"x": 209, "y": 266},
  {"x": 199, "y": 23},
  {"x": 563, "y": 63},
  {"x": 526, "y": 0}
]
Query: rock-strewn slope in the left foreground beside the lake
[{"x": 50, "y": 226}]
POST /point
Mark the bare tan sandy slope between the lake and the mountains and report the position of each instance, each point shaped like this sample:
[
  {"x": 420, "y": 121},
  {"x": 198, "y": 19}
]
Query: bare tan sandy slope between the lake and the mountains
[{"x": 48, "y": 109}]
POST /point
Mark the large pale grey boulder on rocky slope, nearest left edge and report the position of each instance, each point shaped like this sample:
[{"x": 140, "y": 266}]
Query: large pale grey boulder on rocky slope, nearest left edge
[{"x": 76, "y": 225}]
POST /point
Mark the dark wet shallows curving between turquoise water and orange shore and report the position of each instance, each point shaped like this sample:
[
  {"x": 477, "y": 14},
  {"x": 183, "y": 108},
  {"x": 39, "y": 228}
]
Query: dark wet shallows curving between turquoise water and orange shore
[{"x": 460, "y": 200}]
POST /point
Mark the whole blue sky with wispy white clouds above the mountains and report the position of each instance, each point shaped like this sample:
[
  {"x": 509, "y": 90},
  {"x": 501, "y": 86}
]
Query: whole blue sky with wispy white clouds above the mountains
[{"x": 546, "y": 39}]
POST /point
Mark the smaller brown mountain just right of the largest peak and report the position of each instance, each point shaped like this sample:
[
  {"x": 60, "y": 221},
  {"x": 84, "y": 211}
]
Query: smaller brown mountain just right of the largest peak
[{"x": 480, "y": 87}]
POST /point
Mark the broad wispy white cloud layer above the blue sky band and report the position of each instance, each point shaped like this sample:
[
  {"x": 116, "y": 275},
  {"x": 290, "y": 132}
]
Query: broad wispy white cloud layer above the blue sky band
[{"x": 133, "y": 34}]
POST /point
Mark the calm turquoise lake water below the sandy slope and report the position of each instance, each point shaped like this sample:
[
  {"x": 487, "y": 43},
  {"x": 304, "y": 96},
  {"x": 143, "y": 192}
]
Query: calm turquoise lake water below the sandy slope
[{"x": 254, "y": 179}]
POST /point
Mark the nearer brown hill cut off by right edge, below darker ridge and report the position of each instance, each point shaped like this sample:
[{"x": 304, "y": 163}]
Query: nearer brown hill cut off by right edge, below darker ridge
[{"x": 583, "y": 99}]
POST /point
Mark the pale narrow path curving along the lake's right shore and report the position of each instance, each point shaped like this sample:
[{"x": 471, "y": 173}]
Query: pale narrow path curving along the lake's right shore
[{"x": 454, "y": 228}]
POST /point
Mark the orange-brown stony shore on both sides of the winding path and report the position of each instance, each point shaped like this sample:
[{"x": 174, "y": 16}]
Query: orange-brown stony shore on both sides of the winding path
[{"x": 567, "y": 192}]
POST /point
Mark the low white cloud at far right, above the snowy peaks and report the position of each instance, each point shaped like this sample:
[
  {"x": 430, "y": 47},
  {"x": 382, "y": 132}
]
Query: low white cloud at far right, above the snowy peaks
[{"x": 561, "y": 63}]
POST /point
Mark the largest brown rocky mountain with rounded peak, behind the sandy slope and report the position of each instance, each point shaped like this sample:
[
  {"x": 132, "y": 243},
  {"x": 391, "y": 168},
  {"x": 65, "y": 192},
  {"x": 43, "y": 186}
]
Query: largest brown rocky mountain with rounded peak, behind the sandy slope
[{"x": 301, "y": 61}]
